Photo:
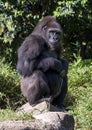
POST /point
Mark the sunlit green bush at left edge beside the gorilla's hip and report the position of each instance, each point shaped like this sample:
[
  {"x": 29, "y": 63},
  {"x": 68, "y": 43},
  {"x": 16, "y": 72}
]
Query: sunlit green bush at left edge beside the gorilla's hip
[{"x": 10, "y": 94}]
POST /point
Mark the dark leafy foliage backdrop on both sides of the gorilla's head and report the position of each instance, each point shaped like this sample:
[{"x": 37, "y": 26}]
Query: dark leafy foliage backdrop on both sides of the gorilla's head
[{"x": 17, "y": 20}]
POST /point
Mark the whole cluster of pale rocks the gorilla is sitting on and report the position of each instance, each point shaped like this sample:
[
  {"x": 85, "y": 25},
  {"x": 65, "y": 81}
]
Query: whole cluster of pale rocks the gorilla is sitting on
[{"x": 45, "y": 117}]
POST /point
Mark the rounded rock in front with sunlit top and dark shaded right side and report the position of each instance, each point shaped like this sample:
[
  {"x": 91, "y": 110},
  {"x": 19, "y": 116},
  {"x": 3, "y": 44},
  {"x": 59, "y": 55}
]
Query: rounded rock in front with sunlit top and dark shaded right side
[{"x": 58, "y": 120}]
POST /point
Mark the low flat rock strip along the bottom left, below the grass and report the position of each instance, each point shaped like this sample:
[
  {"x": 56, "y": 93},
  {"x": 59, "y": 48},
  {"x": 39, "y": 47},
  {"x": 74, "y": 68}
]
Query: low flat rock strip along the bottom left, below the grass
[{"x": 24, "y": 125}]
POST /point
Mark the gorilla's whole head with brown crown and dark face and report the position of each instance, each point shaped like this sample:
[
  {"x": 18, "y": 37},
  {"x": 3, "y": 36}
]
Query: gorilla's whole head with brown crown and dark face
[{"x": 49, "y": 29}]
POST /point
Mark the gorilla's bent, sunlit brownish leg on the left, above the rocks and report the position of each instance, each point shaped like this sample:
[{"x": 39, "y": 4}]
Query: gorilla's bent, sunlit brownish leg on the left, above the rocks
[{"x": 35, "y": 87}]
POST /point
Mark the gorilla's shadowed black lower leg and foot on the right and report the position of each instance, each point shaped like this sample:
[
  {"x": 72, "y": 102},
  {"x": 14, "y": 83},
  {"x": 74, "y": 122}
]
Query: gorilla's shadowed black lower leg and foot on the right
[{"x": 58, "y": 101}]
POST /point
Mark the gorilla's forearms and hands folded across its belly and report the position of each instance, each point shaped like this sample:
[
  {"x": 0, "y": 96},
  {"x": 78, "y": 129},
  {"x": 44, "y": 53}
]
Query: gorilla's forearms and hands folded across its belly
[{"x": 58, "y": 65}]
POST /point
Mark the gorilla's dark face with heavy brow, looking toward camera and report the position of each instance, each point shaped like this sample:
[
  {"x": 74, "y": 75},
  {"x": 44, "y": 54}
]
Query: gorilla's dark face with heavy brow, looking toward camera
[{"x": 52, "y": 35}]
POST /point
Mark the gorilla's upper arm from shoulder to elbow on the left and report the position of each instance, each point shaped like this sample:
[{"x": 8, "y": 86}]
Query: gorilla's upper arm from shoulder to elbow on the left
[{"x": 27, "y": 54}]
